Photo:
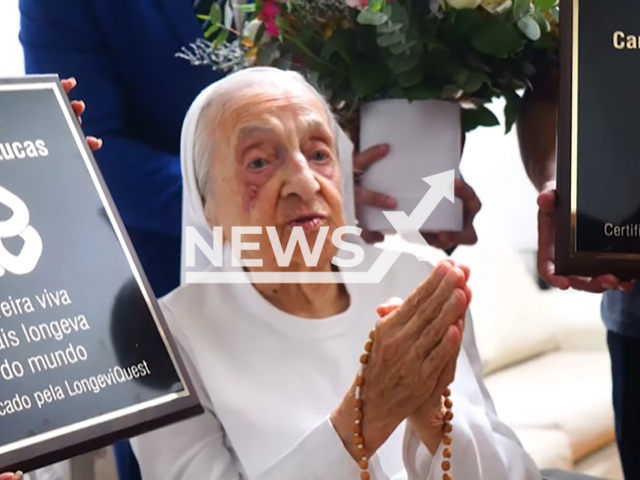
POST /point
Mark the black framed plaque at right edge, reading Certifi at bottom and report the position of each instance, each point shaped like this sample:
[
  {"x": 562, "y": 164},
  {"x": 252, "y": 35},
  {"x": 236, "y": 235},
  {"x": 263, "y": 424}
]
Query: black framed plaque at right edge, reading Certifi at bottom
[{"x": 599, "y": 139}]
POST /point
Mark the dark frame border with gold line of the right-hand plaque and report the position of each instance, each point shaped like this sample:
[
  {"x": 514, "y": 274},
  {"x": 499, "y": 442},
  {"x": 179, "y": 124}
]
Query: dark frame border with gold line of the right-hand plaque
[{"x": 569, "y": 261}]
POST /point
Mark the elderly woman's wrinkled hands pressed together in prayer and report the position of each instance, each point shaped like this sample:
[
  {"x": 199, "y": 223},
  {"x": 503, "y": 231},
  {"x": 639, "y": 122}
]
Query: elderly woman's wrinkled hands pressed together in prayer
[{"x": 414, "y": 348}]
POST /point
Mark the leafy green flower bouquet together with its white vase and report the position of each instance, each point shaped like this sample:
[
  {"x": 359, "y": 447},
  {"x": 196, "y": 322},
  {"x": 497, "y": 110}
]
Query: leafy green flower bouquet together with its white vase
[{"x": 436, "y": 62}]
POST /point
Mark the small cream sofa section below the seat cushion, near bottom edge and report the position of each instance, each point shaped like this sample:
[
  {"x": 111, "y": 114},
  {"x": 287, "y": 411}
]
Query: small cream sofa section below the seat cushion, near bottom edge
[{"x": 550, "y": 449}]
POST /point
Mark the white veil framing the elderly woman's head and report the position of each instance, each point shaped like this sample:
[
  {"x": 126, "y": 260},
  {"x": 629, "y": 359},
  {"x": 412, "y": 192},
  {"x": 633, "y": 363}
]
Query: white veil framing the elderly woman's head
[{"x": 192, "y": 208}]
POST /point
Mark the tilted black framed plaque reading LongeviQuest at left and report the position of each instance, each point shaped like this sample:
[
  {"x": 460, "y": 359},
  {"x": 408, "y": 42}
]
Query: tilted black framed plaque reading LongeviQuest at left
[{"x": 85, "y": 355}]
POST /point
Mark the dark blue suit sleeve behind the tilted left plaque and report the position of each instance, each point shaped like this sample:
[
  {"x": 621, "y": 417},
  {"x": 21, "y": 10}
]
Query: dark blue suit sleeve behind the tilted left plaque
[{"x": 63, "y": 37}]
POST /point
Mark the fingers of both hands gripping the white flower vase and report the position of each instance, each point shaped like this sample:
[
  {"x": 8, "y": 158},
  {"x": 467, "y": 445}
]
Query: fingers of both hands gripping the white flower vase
[{"x": 443, "y": 240}]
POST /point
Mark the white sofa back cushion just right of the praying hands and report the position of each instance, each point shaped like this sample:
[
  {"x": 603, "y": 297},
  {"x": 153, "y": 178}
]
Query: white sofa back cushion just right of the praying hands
[{"x": 510, "y": 324}]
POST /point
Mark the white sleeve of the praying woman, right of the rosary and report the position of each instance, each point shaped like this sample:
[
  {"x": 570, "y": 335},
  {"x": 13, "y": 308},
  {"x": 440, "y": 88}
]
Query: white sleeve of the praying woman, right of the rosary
[{"x": 483, "y": 448}]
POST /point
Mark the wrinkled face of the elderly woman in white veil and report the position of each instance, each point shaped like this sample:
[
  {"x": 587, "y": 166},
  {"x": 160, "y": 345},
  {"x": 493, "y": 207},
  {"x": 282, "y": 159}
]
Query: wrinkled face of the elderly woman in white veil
[{"x": 276, "y": 165}]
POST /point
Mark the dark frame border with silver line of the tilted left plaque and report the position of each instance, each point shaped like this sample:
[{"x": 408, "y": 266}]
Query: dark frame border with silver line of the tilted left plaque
[{"x": 103, "y": 430}]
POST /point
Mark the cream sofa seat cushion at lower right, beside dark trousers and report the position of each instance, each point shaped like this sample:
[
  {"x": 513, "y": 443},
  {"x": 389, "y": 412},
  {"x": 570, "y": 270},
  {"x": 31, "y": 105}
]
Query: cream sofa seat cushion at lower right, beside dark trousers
[{"x": 566, "y": 390}]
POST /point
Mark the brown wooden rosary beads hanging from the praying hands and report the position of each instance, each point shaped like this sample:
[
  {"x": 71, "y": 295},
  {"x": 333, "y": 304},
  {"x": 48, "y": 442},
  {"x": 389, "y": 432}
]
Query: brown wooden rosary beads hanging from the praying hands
[{"x": 357, "y": 418}]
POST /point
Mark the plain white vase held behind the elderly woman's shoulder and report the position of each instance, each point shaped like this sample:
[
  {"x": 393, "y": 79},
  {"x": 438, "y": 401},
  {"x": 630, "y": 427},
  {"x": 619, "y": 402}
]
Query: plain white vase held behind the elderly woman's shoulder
[{"x": 424, "y": 139}]
